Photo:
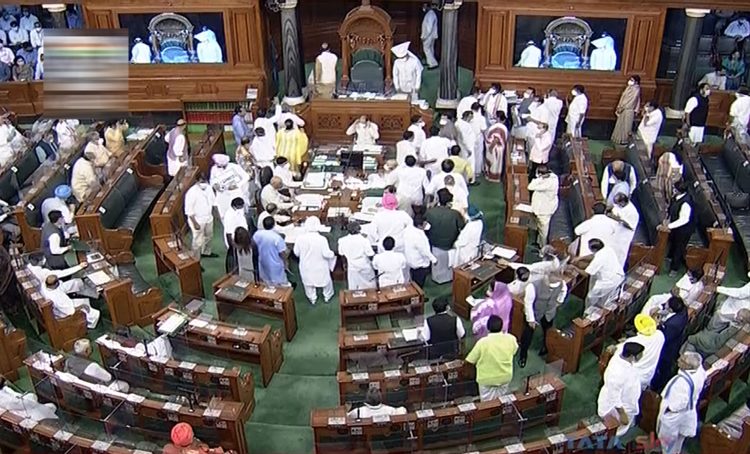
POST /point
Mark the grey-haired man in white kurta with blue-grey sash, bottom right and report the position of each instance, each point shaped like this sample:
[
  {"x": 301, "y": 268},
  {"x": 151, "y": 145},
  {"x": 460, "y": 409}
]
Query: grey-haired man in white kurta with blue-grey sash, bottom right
[{"x": 678, "y": 411}]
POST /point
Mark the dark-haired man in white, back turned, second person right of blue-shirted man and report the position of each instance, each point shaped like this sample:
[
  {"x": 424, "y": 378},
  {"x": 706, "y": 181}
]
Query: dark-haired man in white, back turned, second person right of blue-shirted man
[{"x": 358, "y": 251}]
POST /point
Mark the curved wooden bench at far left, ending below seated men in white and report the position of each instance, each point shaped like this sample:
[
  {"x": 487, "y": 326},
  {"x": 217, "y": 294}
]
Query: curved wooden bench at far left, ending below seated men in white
[{"x": 62, "y": 332}]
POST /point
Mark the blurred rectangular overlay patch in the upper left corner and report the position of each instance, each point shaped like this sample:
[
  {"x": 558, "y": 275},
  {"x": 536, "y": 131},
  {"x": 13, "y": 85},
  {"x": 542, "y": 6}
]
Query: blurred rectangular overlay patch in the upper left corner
[{"x": 86, "y": 73}]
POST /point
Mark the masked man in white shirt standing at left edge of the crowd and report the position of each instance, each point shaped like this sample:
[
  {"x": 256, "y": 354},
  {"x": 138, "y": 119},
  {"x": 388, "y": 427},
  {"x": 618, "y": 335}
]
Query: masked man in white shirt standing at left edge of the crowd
[{"x": 199, "y": 210}]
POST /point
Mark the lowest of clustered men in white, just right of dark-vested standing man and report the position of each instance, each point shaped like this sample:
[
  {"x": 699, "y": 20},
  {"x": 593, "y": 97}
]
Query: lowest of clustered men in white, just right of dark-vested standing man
[{"x": 604, "y": 278}]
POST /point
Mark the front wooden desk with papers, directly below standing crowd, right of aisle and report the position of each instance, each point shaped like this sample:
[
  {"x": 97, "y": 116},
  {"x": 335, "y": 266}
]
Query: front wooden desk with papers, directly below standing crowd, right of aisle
[{"x": 357, "y": 304}]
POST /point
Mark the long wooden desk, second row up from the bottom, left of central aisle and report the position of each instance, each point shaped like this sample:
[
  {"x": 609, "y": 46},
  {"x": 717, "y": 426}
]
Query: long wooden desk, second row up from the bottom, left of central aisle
[{"x": 162, "y": 376}]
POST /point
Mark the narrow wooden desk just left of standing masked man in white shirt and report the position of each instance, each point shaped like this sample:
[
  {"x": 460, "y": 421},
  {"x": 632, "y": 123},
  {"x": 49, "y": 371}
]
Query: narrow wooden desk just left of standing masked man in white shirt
[{"x": 168, "y": 215}]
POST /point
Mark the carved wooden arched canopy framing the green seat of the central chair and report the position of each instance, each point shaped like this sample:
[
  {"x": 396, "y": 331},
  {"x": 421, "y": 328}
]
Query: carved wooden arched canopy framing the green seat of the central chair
[{"x": 366, "y": 27}]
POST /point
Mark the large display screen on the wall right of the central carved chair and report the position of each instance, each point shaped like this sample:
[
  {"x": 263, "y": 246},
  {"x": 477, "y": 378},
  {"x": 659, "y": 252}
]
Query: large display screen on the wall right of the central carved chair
[{"x": 569, "y": 42}]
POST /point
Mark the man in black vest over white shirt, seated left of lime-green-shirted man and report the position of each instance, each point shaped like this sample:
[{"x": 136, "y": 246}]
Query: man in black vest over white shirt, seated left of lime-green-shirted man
[{"x": 442, "y": 331}]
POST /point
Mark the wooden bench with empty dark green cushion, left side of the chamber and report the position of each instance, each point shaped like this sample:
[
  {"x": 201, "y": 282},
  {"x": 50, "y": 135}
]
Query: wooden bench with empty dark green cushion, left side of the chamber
[{"x": 112, "y": 216}]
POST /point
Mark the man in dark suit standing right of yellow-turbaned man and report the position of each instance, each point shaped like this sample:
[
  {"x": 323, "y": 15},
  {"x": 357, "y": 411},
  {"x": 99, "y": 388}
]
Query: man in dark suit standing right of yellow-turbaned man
[{"x": 673, "y": 326}]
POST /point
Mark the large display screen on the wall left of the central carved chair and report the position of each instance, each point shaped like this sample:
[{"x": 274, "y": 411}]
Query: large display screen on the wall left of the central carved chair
[{"x": 171, "y": 38}]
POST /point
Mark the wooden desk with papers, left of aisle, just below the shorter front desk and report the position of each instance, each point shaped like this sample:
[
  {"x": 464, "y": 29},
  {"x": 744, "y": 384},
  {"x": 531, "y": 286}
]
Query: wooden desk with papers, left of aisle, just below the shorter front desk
[{"x": 256, "y": 345}]
